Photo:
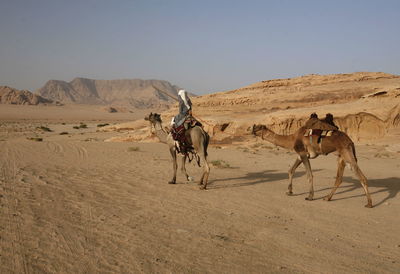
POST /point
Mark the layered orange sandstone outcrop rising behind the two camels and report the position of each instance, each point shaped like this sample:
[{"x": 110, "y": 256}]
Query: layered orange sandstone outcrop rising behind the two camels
[{"x": 365, "y": 105}]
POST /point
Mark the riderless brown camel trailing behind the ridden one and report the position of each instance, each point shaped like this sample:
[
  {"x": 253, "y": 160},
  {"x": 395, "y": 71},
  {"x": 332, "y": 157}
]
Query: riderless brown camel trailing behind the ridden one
[{"x": 339, "y": 142}]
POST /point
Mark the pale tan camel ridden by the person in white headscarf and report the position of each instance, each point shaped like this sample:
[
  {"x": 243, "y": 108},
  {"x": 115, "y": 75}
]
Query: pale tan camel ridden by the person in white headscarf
[{"x": 199, "y": 140}]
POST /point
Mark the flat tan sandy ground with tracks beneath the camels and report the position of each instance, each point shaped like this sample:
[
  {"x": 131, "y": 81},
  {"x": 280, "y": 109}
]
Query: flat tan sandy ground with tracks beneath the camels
[{"x": 76, "y": 204}]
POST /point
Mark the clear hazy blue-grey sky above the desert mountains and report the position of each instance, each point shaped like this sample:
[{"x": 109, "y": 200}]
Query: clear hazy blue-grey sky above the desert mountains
[{"x": 203, "y": 46}]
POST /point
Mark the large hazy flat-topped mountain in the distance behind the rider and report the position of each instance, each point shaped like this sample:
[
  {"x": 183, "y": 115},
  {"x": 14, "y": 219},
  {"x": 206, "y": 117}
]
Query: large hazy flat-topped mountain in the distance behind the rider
[{"x": 125, "y": 92}]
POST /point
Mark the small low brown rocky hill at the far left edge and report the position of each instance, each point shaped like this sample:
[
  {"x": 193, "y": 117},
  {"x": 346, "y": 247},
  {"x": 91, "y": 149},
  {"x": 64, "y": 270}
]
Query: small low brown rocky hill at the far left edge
[{"x": 10, "y": 95}]
